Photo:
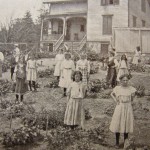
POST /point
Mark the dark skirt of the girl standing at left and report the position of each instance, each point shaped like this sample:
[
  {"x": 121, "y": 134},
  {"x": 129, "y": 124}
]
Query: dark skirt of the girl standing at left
[{"x": 21, "y": 86}]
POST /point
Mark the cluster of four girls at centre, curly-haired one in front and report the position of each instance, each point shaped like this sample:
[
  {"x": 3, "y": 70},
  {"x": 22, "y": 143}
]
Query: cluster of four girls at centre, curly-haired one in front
[{"x": 73, "y": 79}]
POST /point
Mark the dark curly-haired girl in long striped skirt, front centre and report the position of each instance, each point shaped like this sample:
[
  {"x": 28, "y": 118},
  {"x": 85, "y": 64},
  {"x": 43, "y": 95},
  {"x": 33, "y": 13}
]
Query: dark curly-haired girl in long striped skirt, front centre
[{"x": 74, "y": 115}]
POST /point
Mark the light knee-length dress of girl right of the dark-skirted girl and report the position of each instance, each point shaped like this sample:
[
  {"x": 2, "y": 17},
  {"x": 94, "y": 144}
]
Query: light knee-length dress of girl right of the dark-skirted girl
[{"x": 31, "y": 70}]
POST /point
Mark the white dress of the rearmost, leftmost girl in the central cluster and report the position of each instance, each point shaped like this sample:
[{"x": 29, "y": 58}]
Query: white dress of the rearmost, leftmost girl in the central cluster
[{"x": 58, "y": 60}]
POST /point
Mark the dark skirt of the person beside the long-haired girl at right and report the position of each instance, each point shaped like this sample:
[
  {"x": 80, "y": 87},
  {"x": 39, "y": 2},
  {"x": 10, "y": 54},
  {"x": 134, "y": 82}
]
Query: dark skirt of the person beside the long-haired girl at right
[{"x": 112, "y": 76}]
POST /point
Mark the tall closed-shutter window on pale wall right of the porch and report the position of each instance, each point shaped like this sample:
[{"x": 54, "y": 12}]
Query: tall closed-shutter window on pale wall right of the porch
[{"x": 107, "y": 24}]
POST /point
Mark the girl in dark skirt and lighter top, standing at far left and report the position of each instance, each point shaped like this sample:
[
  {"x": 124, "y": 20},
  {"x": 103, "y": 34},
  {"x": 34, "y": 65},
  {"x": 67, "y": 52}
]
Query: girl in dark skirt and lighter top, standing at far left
[{"x": 21, "y": 86}]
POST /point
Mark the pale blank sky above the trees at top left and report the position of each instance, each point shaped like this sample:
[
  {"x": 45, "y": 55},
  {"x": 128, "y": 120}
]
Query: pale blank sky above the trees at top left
[{"x": 17, "y": 9}]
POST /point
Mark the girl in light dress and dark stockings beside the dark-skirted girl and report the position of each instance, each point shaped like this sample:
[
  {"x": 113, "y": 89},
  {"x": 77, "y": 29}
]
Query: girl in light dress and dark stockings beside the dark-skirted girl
[{"x": 32, "y": 72}]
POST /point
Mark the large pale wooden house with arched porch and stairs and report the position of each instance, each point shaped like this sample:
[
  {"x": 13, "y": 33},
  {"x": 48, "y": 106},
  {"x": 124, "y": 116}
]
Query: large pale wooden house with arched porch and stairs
[{"x": 90, "y": 23}]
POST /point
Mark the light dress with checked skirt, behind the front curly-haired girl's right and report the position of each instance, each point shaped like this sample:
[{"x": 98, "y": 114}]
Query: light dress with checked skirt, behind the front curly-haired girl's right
[{"x": 84, "y": 67}]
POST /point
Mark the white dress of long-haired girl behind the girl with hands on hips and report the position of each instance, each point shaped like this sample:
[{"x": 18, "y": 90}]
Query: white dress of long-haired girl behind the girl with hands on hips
[{"x": 123, "y": 69}]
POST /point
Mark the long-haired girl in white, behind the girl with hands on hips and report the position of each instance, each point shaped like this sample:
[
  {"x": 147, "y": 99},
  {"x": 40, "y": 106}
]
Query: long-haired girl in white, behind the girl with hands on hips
[{"x": 123, "y": 67}]
